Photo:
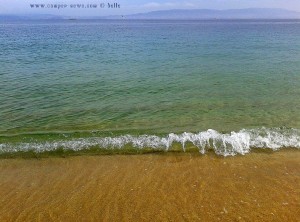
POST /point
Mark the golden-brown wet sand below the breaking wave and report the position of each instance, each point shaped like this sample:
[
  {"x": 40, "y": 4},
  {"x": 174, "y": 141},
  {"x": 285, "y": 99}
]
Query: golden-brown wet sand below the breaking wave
[{"x": 152, "y": 187}]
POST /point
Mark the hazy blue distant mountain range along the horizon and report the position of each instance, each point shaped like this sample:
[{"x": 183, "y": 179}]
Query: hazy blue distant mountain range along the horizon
[{"x": 180, "y": 14}]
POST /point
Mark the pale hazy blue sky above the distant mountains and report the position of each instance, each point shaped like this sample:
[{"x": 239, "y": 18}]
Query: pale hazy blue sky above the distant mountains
[{"x": 133, "y": 6}]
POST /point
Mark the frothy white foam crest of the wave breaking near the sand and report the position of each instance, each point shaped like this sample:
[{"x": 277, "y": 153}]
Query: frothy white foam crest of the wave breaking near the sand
[{"x": 222, "y": 144}]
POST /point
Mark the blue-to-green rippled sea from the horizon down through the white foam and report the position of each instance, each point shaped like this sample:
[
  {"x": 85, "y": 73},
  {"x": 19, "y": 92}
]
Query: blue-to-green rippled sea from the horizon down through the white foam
[{"x": 230, "y": 85}]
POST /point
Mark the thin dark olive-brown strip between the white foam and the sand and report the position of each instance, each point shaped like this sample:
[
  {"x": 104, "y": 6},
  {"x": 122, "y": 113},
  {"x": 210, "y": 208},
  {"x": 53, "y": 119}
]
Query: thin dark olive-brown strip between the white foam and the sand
[{"x": 132, "y": 151}]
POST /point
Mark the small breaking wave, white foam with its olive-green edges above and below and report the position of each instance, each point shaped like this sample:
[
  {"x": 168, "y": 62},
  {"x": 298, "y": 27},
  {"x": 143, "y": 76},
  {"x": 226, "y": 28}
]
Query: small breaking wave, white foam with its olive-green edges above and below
[{"x": 225, "y": 144}]
